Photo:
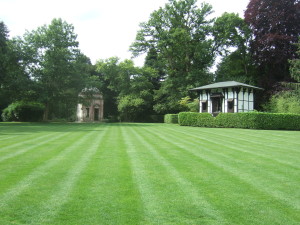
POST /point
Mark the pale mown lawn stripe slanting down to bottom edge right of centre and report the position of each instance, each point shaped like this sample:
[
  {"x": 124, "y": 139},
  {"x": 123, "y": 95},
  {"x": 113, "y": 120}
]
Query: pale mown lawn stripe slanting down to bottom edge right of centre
[{"x": 194, "y": 197}]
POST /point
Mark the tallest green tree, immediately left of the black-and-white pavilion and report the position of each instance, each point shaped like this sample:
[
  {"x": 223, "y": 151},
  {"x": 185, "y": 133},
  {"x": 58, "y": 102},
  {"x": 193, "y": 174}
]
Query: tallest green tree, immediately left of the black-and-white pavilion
[{"x": 179, "y": 34}]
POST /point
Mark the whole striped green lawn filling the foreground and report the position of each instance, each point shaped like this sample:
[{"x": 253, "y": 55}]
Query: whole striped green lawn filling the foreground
[{"x": 147, "y": 174}]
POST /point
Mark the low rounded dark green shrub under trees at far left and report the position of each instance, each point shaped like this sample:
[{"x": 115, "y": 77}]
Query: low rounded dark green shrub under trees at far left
[{"x": 23, "y": 111}]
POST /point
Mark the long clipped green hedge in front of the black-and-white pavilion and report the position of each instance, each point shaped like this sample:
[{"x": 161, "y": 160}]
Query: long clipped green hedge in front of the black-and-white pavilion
[{"x": 251, "y": 120}]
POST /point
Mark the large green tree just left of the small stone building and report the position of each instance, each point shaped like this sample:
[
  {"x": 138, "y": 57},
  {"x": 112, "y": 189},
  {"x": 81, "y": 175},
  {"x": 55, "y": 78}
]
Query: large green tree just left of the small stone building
[{"x": 55, "y": 63}]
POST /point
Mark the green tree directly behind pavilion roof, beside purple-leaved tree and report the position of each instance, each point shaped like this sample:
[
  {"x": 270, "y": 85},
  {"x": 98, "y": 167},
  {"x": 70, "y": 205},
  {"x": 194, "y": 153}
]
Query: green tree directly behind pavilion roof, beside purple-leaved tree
[{"x": 231, "y": 32}]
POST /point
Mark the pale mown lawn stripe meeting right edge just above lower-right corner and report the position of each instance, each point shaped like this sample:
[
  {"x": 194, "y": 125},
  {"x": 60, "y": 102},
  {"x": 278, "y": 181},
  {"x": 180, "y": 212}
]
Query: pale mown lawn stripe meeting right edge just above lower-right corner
[{"x": 254, "y": 181}]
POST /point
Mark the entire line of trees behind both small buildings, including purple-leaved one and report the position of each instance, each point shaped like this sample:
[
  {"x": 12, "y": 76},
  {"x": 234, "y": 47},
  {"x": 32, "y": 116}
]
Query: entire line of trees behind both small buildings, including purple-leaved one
[{"x": 181, "y": 41}]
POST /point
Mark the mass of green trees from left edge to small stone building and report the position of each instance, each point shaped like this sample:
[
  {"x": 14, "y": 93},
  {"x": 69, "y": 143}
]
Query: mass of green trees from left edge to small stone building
[{"x": 46, "y": 66}]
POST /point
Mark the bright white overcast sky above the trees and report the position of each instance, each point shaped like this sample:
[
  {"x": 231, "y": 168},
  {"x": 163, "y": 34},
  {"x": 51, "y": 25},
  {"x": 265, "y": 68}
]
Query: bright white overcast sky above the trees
[{"x": 105, "y": 28}]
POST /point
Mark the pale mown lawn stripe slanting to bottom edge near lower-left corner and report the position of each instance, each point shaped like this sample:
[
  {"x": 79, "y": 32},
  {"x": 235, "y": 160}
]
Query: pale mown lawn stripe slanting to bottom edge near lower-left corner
[{"x": 51, "y": 207}]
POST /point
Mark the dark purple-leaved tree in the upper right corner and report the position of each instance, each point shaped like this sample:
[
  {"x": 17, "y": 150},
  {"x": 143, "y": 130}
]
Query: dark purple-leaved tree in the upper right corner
[{"x": 276, "y": 27}]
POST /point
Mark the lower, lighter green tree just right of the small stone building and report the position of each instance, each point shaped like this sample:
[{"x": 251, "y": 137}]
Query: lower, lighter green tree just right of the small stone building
[{"x": 128, "y": 90}]
